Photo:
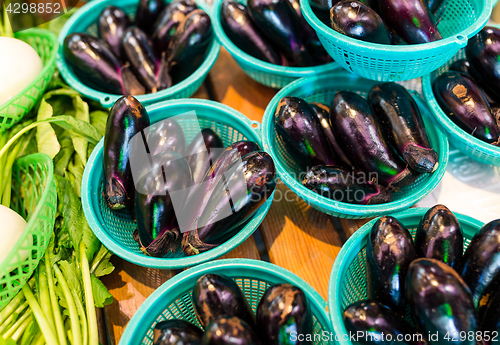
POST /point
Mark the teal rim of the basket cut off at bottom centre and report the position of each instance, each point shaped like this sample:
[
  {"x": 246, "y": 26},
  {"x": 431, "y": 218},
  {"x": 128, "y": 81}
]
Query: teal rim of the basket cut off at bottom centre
[{"x": 170, "y": 290}]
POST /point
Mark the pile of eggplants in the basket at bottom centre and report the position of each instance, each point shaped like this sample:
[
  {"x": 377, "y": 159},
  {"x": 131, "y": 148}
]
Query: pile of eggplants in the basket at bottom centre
[{"x": 227, "y": 318}]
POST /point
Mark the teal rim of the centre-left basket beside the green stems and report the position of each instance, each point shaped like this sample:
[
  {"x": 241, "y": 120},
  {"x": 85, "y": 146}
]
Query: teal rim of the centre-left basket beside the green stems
[{"x": 169, "y": 109}]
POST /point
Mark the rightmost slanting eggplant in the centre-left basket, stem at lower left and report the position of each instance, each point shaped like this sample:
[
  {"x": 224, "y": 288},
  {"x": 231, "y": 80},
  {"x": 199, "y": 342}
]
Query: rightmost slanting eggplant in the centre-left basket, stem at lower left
[{"x": 246, "y": 185}]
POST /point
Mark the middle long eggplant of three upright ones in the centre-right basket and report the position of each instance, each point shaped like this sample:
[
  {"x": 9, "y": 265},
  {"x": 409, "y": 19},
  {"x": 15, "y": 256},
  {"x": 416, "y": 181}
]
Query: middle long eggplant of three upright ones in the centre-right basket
[{"x": 360, "y": 135}]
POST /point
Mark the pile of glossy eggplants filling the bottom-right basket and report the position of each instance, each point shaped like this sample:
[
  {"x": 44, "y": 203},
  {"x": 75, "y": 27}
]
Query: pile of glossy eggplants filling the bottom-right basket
[{"x": 453, "y": 296}]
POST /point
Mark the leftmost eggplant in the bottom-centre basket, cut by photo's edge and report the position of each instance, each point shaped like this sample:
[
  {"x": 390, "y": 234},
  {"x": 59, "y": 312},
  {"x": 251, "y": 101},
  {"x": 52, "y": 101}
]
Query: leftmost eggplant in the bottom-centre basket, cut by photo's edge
[{"x": 176, "y": 332}]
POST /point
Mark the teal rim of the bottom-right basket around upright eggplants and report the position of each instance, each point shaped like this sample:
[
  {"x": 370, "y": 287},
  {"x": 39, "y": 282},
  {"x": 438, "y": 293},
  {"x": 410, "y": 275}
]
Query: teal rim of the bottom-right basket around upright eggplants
[{"x": 352, "y": 248}]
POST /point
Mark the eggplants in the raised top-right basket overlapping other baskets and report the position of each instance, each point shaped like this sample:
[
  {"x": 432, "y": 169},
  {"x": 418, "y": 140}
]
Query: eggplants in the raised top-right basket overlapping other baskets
[{"x": 386, "y": 21}]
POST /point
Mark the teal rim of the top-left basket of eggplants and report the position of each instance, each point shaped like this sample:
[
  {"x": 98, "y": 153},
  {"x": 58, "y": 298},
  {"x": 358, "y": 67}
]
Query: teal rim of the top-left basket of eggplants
[{"x": 108, "y": 99}]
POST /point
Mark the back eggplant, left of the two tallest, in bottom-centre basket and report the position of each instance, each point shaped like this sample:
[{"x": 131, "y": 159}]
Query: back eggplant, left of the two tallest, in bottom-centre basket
[{"x": 216, "y": 295}]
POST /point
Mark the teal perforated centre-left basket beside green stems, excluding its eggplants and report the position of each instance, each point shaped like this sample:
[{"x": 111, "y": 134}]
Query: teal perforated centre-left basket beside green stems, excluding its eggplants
[{"x": 114, "y": 228}]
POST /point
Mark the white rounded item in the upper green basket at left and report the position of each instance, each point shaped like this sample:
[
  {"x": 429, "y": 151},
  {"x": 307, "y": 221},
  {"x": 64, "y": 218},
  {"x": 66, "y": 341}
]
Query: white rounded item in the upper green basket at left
[{"x": 19, "y": 66}]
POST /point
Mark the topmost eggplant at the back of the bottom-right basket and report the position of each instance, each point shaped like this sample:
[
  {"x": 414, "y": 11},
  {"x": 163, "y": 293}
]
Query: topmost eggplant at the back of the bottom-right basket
[{"x": 439, "y": 236}]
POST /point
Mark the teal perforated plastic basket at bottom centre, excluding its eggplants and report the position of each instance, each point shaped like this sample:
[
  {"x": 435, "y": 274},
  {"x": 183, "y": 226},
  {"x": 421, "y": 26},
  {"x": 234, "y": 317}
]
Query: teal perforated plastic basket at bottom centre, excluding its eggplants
[{"x": 173, "y": 300}]
